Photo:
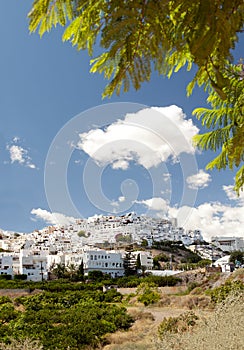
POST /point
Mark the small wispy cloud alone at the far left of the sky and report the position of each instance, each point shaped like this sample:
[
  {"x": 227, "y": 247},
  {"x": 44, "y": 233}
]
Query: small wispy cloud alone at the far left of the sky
[{"x": 19, "y": 155}]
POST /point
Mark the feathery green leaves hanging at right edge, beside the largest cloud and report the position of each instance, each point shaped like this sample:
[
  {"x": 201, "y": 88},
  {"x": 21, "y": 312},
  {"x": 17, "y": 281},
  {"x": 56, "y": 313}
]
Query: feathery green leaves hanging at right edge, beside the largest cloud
[{"x": 226, "y": 117}]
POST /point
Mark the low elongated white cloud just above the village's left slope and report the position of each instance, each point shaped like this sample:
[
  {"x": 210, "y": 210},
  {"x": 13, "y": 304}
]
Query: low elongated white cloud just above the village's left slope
[{"x": 52, "y": 218}]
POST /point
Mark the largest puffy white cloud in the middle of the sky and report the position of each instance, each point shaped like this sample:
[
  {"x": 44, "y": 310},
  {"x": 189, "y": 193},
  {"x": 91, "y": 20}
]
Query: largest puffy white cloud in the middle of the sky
[{"x": 148, "y": 137}]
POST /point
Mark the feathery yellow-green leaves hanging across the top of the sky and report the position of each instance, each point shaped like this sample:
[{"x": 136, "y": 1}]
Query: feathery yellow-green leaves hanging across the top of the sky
[{"x": 134, "y": 34}]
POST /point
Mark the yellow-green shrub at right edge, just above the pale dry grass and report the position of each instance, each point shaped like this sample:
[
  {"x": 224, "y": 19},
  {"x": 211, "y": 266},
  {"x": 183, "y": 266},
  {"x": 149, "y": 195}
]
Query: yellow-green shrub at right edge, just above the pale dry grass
[{"x": 221, "y": 293}]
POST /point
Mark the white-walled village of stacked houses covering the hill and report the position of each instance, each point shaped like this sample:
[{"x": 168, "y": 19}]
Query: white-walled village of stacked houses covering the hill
[{"x": 100, "y": 243}]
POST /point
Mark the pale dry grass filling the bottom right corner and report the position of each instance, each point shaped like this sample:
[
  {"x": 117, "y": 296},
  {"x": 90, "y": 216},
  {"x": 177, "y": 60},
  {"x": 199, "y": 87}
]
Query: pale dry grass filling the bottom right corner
[{"x": 222, "y": 331}]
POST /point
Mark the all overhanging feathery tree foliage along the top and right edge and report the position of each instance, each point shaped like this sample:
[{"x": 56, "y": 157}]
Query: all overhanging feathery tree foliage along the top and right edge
[{"x": 136, "y": 36}]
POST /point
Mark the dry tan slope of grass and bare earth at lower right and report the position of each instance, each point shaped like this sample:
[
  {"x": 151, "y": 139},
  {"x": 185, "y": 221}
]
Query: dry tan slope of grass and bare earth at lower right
[{"x": 216, "y": 320}]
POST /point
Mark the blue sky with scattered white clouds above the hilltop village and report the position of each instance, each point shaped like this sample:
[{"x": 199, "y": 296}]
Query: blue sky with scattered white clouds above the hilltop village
[{"x": 48, "y": 98}]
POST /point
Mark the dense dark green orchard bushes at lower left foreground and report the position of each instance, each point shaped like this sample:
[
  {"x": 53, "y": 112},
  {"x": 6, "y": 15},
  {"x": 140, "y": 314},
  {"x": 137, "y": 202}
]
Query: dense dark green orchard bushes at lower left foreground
[{"x": 61, "y": 320}]
